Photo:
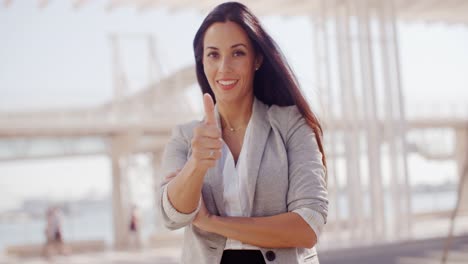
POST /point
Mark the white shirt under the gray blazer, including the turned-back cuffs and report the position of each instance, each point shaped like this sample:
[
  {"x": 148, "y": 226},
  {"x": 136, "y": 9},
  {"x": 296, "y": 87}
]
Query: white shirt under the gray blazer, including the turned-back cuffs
[{"x": 235, "y": 195}]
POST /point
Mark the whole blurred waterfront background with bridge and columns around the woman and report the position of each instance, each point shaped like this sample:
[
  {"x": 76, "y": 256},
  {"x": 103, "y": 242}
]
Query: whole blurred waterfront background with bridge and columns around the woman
[{"x": 90, "y": 90}]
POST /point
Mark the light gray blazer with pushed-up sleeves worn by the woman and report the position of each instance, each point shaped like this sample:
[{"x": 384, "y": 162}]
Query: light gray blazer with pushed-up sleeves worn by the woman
[{"x": 286, "y": 174}]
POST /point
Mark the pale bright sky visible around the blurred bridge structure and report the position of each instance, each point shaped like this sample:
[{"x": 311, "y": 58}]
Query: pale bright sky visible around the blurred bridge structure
[{"x": 59, "y": 57}]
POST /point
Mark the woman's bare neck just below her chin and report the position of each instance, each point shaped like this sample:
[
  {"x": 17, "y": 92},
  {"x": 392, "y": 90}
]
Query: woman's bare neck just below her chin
[{"x": 236, "y": 115}]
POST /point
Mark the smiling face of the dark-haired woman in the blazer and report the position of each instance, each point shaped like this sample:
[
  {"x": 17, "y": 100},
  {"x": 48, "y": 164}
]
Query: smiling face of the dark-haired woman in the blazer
[{"x": 229, "y": 62}]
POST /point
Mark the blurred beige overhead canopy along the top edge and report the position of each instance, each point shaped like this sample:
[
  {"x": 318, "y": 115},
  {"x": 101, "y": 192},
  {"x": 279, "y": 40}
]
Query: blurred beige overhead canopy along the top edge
[{"x": 449, "y": 11}]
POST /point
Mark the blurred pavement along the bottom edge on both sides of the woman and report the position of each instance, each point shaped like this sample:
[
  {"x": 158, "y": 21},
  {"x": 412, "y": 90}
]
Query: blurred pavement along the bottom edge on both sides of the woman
[{"x": 426, "y": 251}]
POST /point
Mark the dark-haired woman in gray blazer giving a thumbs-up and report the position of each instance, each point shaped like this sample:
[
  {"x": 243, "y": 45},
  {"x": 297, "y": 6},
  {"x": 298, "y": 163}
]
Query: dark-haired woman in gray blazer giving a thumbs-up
[{"x": 248, "y": 182}]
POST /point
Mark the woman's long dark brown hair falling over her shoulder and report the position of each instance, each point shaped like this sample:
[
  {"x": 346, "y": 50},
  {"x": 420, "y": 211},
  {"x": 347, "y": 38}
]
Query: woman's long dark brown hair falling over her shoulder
[{"x": 274, "y": 82}]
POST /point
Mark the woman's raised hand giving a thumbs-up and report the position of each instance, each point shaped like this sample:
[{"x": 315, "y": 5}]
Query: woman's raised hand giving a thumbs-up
[{"x": 207, "y": 142}]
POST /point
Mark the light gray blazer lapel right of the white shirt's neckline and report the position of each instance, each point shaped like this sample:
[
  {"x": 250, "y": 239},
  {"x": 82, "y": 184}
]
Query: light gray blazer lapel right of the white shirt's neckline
[{"x": 260, "y": 129}]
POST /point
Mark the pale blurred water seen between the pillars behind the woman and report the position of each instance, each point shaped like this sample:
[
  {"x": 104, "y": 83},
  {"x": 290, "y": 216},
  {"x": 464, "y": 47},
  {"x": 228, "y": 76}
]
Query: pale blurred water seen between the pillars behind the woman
[{"x": 96, "y": 223}]
